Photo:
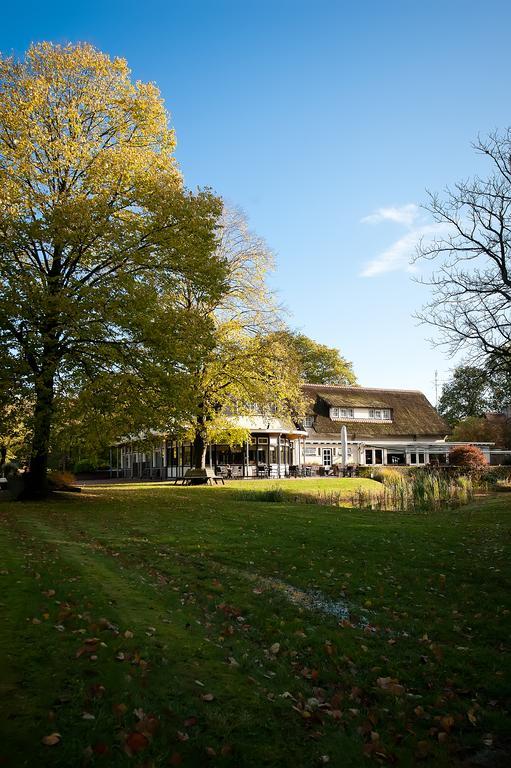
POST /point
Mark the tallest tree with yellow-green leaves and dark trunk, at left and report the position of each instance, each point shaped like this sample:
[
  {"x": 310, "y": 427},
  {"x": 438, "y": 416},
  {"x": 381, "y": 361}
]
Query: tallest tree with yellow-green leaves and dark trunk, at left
[{"x": 95, "y": 225}]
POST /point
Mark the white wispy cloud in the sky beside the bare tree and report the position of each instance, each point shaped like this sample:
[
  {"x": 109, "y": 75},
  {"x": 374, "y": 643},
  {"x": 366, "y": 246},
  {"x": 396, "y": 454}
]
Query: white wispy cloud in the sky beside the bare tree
[{"x": 397, "y": 257}]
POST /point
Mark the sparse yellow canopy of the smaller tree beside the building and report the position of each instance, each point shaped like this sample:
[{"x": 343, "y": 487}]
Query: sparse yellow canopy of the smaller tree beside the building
[{"x": 248, "y": 366}]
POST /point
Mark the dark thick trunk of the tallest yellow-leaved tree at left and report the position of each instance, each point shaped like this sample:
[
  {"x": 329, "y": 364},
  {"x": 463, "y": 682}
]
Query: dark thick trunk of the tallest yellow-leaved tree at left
[{"x": 37, "y": 480}]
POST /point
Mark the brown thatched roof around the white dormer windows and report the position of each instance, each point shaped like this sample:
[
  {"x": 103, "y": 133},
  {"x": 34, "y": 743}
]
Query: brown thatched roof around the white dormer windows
[{"x": 412, "y": 414}]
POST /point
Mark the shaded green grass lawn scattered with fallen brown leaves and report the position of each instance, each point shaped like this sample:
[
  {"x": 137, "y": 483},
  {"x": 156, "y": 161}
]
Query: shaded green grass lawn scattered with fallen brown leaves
[{"x": 154, "y": 625}]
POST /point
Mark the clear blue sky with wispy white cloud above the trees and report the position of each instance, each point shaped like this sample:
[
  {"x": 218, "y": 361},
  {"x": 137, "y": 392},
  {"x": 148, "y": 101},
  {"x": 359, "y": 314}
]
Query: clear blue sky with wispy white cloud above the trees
[{"x": 325, "y": 121}]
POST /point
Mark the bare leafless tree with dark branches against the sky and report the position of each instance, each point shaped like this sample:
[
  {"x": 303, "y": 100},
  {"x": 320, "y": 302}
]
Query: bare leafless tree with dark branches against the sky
[{"x": 471, "y": 285}]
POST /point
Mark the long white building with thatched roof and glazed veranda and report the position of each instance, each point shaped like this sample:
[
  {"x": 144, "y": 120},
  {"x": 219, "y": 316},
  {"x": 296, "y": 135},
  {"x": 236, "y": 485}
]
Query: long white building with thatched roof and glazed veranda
[{"x": 382, "y": 427}]
